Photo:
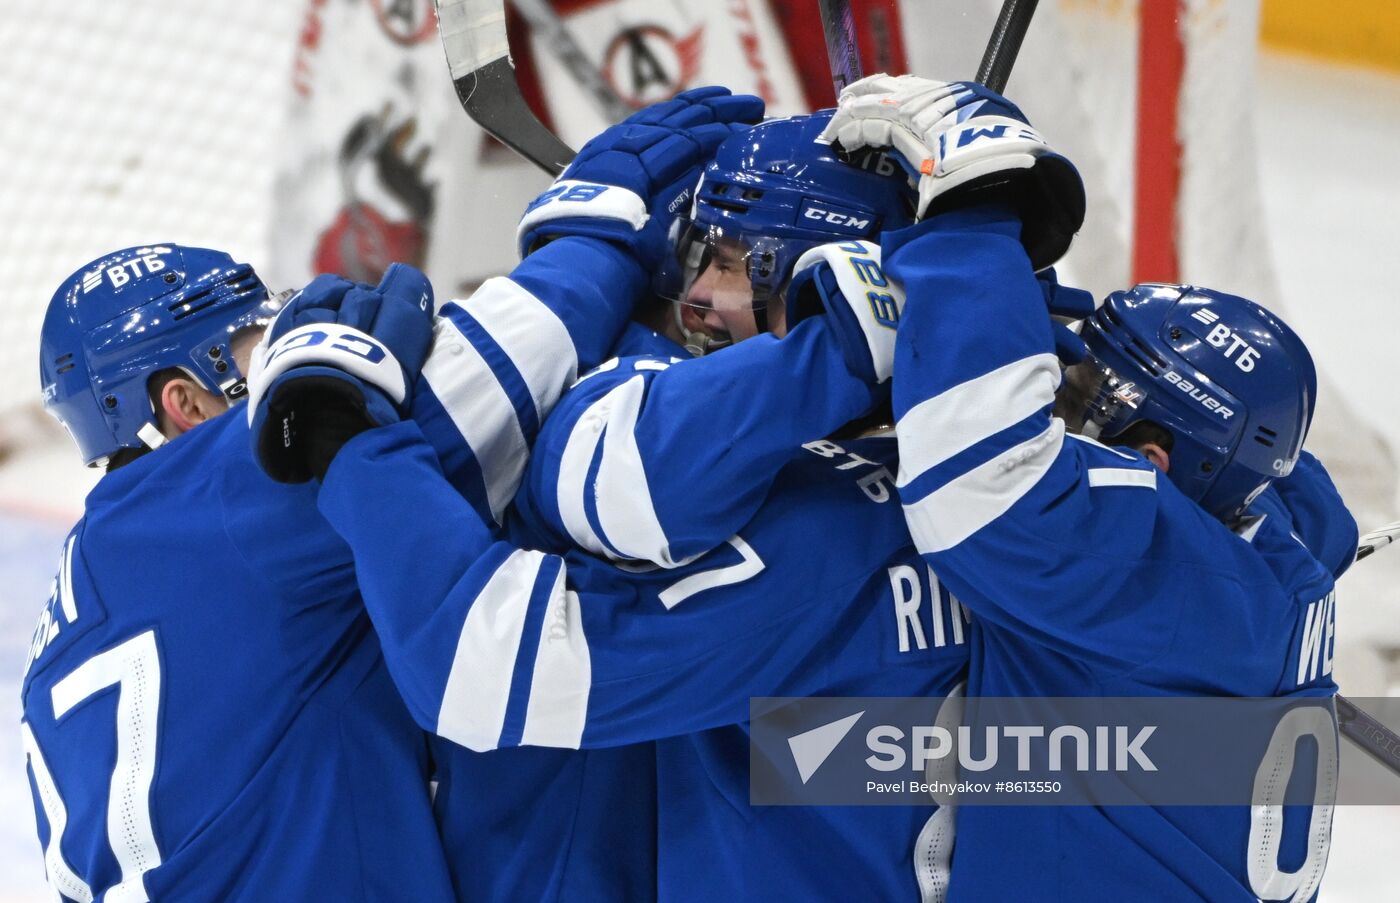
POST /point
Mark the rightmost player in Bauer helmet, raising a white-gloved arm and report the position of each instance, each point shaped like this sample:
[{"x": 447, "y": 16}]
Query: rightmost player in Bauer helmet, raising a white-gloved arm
[{"x": 1111, "y": 549}]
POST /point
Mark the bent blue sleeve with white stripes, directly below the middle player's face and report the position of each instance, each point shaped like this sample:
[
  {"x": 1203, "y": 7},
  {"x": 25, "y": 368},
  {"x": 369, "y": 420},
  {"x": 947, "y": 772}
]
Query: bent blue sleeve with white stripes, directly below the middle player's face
[{"x": 656, "y": 460}]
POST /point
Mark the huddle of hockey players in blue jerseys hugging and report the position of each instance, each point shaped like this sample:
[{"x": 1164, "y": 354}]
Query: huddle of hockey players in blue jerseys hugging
[{"x": 472, "y": 603}]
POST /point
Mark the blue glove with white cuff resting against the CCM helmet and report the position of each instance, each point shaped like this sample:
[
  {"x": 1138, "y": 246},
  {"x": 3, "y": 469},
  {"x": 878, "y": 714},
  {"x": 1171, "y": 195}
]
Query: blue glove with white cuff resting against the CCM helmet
[{"x": 629, "y": 184}]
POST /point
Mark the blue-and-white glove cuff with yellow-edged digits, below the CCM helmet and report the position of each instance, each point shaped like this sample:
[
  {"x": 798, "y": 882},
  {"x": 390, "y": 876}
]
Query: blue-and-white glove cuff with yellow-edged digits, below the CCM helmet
[{"x": 845, "y": 281}]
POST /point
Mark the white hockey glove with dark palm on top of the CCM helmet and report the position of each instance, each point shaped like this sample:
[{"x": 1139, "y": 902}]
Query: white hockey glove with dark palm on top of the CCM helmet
[{"x": 958, "y": 136}]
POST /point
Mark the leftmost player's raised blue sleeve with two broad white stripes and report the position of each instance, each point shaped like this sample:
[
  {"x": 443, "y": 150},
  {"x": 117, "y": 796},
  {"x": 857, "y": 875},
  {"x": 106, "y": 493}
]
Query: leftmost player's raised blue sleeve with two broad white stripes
[{"x": 503, "y": 358}]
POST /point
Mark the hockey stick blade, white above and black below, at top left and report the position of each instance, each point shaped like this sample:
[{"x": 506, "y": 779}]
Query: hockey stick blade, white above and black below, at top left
[{"x": 479, "y": 59}]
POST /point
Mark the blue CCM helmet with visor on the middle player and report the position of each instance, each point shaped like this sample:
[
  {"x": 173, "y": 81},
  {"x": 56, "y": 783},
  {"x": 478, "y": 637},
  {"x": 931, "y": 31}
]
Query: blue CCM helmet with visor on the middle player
[{"x": 773, "y": 192}]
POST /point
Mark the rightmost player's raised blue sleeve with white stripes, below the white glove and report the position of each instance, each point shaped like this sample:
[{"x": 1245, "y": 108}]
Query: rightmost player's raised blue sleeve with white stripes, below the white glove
[{"x": 1039, "y": 533}]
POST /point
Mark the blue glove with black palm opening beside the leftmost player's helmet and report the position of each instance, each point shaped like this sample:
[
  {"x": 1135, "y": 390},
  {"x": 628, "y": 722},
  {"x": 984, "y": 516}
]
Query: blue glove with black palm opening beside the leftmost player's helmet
[{"x": 339, "y": 359}]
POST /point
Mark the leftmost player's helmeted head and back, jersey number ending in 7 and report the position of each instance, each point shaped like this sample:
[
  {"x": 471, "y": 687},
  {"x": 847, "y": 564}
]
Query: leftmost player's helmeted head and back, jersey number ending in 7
[{"x": 206, "y": 715}]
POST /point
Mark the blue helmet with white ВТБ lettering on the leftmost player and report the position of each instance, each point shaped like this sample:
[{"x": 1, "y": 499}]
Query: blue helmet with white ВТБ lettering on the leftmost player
[{"x": 127, "y": 316}]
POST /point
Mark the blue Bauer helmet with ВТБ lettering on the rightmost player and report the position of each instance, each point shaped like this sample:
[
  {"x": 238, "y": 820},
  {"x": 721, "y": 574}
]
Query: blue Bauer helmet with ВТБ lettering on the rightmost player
[{"x": 1233, "y": 384}]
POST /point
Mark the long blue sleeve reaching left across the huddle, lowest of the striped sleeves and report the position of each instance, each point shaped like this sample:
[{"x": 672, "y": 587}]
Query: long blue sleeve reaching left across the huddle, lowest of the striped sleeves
[{"x": 498, "y": 646}]
